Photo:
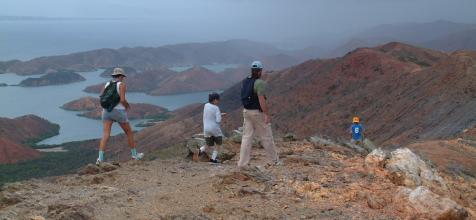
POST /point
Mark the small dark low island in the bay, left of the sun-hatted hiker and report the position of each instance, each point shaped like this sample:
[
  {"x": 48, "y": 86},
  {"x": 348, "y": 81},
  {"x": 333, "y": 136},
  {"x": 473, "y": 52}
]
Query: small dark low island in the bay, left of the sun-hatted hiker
[{"x": 56, "y": 78}]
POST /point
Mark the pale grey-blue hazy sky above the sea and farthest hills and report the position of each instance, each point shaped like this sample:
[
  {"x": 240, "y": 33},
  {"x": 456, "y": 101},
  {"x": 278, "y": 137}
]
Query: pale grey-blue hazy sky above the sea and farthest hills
[{"x": 277, "y": 16}]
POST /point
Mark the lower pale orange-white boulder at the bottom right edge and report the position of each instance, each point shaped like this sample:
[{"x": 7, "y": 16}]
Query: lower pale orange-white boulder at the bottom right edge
[{"x": 423, "y": 203}]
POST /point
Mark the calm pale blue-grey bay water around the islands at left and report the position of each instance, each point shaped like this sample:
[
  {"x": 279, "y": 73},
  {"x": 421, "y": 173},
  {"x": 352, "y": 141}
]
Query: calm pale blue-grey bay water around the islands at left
[{"x": 46, "y": 101}]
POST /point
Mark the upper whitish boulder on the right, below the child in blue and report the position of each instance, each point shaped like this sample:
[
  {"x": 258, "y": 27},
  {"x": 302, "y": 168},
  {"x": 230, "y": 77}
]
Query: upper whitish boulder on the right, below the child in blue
[{"x": 407, "y": 169}]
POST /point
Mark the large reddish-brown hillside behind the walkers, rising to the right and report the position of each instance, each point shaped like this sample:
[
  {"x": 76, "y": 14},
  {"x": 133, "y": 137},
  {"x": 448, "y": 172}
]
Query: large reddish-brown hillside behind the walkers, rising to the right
[{"x": 402, "y": 93}]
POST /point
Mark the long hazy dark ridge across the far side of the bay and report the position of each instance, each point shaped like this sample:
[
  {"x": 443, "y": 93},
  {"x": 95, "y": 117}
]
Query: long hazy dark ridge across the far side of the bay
[{"x": 147, "y": 58}]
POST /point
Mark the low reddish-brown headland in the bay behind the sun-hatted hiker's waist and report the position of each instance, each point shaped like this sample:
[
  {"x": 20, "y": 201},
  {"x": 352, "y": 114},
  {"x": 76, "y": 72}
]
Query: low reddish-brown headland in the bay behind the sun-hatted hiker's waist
[{"x": 90, "y": 108}]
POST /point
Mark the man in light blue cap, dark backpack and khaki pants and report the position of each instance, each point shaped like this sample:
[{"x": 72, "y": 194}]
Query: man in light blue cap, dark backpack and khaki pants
[{"x": 256, "y": 117}]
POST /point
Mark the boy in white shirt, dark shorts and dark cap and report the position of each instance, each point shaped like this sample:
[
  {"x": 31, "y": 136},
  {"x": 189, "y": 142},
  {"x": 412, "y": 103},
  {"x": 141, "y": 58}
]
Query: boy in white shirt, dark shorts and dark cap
[{"x": 211, "y": 126}]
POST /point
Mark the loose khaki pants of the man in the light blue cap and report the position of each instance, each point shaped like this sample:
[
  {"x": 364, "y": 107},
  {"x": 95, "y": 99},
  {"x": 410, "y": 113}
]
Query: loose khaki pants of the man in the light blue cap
[{"x": 254, "y": 124}]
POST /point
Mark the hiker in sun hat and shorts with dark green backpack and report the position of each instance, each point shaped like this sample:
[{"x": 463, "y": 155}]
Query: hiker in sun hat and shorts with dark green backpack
[{"x": 114, "y": 103}]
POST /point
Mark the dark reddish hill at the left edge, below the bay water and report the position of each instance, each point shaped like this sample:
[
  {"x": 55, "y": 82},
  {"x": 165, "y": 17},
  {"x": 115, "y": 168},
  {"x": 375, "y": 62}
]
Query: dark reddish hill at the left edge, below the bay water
[{"x": 16, "y": 133}]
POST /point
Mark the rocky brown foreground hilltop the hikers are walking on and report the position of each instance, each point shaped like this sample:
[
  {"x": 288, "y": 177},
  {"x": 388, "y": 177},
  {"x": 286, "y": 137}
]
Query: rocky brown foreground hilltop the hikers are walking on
[{"x": 317, "y": 181}]
